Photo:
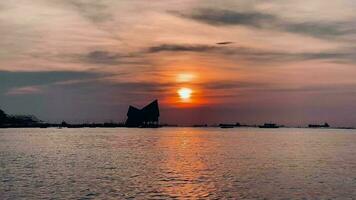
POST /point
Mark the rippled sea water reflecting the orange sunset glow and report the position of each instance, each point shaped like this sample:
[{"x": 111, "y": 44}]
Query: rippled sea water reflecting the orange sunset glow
[{"x": 177, "y": 163}]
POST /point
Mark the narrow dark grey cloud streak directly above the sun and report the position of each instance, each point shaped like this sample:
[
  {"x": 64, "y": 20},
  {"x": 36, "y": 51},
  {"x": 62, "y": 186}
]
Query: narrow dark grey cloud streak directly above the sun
[{"x": 181, "y": 47}]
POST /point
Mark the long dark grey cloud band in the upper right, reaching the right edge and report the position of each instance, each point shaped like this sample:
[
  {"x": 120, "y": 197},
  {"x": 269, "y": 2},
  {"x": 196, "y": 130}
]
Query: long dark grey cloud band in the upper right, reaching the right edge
[{"x": 260, "y": 20}]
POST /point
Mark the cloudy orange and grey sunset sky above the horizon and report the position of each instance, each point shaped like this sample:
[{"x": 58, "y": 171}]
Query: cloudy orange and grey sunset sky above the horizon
[{"x": 248, "y": 61}]
